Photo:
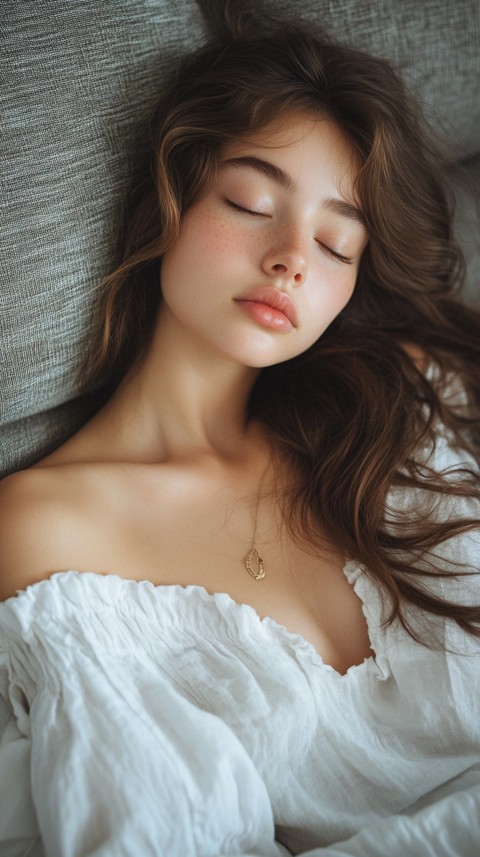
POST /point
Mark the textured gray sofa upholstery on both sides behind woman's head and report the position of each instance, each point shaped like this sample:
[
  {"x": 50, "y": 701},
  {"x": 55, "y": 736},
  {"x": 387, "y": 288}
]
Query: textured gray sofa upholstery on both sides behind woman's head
[{"x": 79, "y": 81}]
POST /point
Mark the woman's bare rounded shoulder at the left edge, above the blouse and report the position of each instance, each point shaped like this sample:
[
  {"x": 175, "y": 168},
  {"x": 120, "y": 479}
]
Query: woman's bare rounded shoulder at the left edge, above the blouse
[{"x": 40, "y": 513}]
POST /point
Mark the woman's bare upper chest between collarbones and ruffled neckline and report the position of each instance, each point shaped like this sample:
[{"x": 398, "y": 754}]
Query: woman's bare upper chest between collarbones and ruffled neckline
[{"x": 201, "y": 536}]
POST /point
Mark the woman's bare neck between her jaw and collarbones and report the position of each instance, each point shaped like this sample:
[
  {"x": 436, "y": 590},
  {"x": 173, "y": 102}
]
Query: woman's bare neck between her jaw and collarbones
[{"x": 183, "y": 400}]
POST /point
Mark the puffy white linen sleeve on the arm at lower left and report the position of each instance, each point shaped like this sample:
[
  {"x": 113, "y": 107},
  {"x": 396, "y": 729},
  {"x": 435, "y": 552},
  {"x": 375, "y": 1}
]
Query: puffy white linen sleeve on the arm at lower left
[{"x": 109, "y": 759}]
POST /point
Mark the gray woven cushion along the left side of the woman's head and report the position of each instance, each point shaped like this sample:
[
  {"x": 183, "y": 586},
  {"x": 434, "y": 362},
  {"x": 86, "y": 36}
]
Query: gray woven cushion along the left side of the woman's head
[{"x": 80, "y": 79}]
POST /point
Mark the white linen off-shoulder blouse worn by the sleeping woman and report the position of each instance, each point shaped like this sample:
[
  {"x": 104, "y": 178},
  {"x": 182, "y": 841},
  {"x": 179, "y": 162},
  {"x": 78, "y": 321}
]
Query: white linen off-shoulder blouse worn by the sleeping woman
[{"x": 162, "y": 720}]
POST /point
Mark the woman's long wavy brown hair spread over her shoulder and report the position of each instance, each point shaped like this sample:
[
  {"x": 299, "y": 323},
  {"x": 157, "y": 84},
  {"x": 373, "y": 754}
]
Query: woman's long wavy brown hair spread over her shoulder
[{"x": 352, "y": 412}]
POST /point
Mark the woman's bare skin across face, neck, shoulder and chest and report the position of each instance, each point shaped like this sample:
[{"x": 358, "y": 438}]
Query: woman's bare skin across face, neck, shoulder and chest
[{"x": 162, "y": 483}]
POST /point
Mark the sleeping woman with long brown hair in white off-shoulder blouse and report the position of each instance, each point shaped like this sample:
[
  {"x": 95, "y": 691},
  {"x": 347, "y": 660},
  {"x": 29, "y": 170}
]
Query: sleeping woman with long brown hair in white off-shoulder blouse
[{"x": 247, "y": 616}]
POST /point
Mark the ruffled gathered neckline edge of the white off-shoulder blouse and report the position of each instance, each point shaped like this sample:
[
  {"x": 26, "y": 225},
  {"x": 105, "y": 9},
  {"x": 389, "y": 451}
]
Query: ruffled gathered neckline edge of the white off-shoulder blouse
[{"x": 212, "y": 614}]
